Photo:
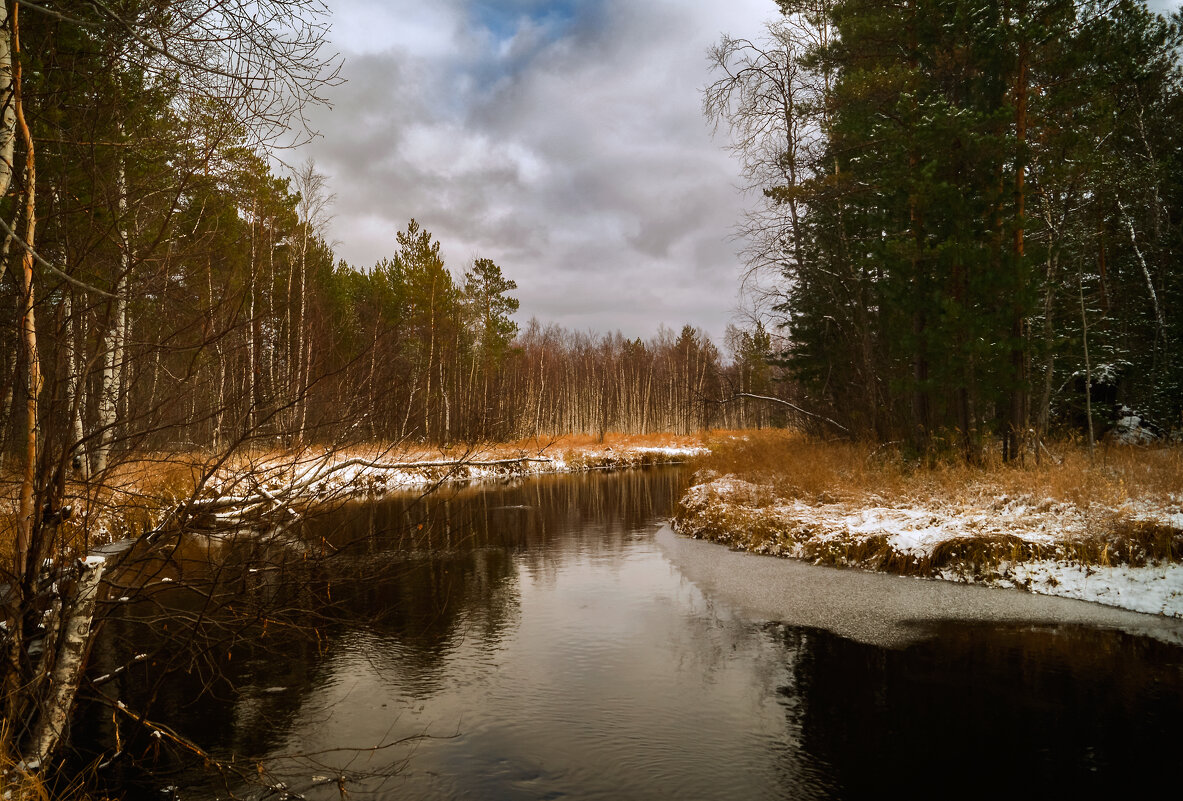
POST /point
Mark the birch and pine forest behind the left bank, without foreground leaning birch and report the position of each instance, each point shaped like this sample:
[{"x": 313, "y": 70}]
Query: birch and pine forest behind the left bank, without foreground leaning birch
[{"x": 183, "y": 295}]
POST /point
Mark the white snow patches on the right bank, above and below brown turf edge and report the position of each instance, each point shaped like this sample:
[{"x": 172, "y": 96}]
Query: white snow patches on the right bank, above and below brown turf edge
[{"x": 723, "y": 507}]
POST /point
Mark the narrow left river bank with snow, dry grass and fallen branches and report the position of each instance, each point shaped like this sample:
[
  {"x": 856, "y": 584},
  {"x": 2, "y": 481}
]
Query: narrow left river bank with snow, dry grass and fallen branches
[{"x": 264, "y": 486}]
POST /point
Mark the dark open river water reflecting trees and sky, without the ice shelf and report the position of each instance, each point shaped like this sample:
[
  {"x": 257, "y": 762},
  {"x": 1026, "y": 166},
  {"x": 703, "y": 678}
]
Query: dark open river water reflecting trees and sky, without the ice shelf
[{"x": 535, "y": 642}]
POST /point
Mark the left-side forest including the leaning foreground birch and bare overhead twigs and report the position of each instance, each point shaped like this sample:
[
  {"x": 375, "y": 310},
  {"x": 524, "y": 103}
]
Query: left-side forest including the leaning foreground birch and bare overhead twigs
[{"x": 169, "y": 296}]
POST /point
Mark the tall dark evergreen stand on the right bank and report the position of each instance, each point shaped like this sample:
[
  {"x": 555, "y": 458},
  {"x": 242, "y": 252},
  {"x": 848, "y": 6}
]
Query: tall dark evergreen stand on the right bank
[{"x": 969, "y": 217}]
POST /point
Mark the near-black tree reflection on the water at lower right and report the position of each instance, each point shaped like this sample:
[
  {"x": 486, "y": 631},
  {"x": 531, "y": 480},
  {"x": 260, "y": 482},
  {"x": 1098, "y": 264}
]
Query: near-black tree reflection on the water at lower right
[{"x": 987, "y": 709}]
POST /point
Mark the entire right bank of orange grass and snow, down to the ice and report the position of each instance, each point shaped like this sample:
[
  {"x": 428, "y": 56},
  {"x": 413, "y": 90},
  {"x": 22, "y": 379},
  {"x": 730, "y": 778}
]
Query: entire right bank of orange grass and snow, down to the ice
[{"x": 1108, "y": 529}]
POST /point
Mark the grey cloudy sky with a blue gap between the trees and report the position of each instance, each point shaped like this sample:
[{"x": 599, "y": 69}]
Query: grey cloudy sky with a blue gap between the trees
[{"x": 563, "y": 139}]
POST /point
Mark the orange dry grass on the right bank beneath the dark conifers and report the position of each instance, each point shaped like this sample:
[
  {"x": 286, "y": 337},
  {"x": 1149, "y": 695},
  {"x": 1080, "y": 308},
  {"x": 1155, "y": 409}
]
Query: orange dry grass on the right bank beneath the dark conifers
[{"x": 778, "y": 469}]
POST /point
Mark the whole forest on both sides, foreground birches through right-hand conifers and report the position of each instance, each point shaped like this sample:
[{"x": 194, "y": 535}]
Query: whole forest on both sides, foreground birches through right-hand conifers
[{"x": 966, "y": 241}]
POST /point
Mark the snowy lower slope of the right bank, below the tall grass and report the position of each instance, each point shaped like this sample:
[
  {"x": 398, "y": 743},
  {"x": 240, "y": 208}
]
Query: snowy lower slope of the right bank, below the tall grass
[{"x": 1120, "y": 555}]
